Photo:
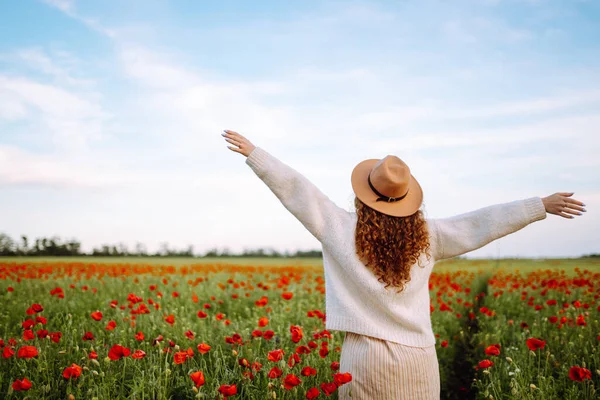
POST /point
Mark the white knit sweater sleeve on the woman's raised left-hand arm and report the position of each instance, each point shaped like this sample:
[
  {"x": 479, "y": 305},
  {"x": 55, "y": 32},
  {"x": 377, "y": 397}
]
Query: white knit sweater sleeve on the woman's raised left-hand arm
[{"x": 304, "y": 200}]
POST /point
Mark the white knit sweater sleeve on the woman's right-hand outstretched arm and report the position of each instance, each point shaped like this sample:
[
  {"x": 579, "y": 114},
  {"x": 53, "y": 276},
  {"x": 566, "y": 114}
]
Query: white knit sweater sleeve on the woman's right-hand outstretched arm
[{"x": 463, "y": 233}]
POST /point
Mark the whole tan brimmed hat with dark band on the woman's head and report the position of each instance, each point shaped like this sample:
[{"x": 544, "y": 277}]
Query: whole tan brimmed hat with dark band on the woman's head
[{"x": 387, "y": 186}]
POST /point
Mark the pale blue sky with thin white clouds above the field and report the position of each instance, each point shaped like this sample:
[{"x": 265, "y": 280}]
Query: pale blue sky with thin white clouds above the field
[{"x": 111, "y": 113}]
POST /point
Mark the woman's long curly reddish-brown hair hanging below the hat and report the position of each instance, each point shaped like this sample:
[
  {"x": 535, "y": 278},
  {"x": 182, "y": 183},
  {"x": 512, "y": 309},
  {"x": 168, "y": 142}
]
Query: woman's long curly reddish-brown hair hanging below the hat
[{"x": 389, "y": 245}]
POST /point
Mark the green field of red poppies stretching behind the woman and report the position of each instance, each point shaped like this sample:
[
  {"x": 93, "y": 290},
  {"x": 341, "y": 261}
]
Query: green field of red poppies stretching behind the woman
[{"x": 248, "y": 329}]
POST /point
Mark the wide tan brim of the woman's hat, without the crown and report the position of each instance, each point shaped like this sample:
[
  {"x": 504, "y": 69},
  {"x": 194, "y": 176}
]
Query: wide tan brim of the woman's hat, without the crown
[{"x": 402, "y": 208}]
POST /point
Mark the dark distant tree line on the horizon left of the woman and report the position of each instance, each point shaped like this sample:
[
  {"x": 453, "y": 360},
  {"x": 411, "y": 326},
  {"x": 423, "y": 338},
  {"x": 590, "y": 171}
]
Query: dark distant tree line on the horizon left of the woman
[{"x": 55, "y": 246}]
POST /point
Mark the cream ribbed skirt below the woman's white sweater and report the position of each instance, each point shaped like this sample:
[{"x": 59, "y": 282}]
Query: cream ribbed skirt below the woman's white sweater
[{"x": 388, "y": 370}]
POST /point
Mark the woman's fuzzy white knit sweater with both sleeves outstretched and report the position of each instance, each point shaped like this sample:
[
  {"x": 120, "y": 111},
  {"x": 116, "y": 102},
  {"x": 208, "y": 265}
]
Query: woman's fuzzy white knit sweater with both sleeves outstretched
[{"x": 355, "y": 300}]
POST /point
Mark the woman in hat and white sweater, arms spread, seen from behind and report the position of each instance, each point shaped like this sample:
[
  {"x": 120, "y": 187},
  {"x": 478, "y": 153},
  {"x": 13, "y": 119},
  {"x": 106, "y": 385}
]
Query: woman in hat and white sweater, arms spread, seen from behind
[{"x": 374, "y": 290}]
